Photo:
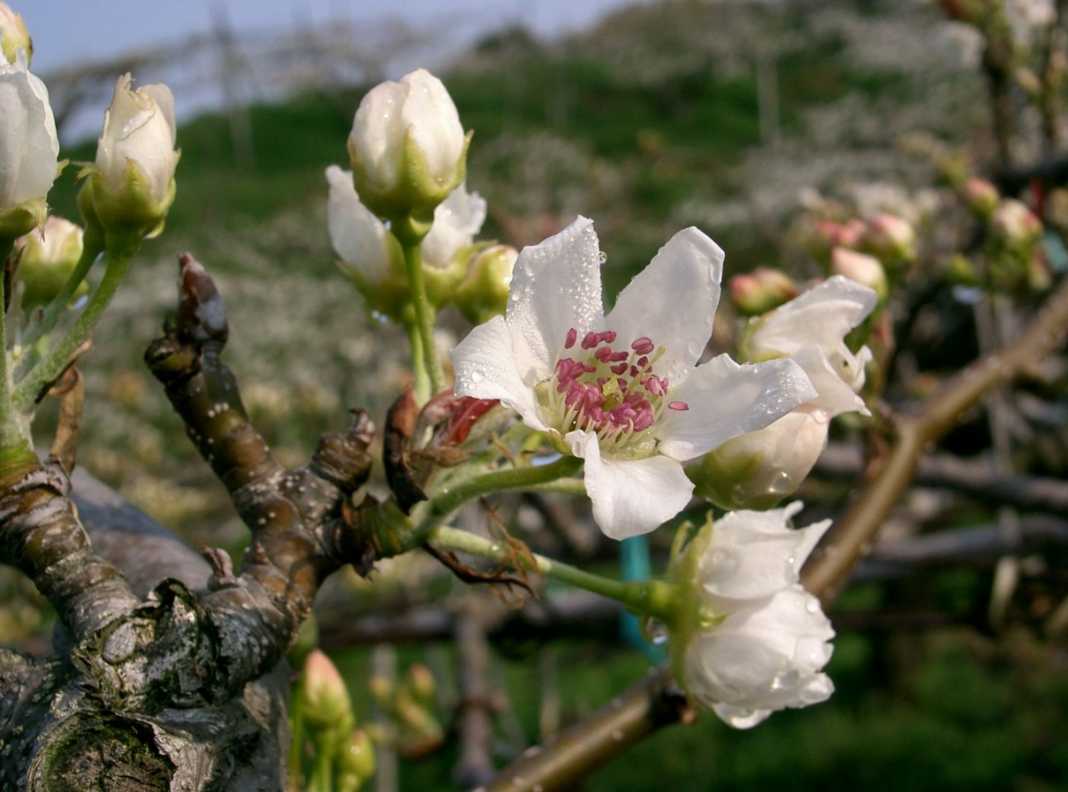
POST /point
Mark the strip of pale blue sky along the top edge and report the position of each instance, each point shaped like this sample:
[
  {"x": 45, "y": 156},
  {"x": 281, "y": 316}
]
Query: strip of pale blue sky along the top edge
[{"x": 67, "y": 31}]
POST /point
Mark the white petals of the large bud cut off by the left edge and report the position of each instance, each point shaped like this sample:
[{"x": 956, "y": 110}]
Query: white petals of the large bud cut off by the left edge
[{"x": 29, "y": 148}]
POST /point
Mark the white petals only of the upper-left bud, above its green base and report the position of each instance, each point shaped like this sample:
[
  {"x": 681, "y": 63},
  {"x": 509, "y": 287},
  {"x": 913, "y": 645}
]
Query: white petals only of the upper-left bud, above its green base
[{"x": 137, "y": 145}]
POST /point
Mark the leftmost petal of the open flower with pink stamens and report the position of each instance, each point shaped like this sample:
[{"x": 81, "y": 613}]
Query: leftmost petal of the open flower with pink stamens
[{"x": 485, "y": 368}]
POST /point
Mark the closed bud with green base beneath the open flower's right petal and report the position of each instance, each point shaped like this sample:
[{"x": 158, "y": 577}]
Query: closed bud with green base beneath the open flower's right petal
[{"x": 758, "y": 470}]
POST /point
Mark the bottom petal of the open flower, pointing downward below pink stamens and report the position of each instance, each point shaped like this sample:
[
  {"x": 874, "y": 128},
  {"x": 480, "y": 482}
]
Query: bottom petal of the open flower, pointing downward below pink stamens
[{"x": 631, "y": 497}]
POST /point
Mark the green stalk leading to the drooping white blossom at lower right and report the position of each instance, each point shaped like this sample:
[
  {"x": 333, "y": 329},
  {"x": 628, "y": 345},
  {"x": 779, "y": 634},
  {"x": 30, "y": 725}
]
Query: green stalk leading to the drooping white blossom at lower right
[{"x": 652, "y": 598}]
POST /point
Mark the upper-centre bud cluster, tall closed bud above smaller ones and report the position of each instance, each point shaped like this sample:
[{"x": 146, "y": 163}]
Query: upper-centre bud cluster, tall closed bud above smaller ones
[{"x": 409, "y": 154}]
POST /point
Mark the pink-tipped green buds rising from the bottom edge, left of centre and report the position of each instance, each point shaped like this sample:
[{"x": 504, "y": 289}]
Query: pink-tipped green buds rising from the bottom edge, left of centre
[{"x": 326, "y": 738}]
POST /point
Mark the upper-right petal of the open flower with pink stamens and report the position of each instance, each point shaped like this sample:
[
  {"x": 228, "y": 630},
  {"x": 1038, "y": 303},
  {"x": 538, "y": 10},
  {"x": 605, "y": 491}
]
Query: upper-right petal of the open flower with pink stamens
[{"x": 673, "y": 302}]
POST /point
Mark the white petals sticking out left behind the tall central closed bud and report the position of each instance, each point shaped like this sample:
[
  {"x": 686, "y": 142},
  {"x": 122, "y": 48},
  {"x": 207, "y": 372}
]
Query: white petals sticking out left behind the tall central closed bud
[{"x": 362, "y": 241}]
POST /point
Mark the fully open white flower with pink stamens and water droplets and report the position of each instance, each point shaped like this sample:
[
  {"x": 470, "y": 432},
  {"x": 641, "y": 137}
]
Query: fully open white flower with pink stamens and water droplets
[{"x": 623, "y": 391}]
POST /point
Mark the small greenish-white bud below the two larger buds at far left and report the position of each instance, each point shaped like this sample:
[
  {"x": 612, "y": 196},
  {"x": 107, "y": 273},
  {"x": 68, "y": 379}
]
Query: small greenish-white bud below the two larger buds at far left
[{"x": 46, "y": 259}]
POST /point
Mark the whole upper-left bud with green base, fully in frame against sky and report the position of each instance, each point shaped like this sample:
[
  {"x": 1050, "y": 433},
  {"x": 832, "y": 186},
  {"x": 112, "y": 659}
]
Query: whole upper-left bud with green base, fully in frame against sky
[{"x": 133, "y": 182}]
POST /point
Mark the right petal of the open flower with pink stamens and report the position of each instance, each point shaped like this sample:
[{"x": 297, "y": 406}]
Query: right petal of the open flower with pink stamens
[{"x": 726, "y": 400}]
